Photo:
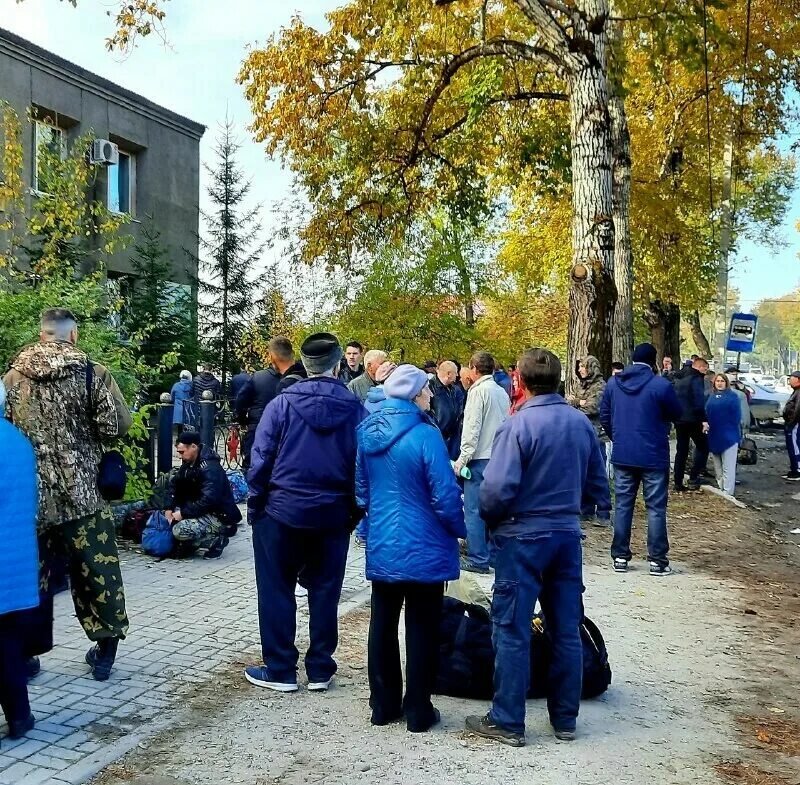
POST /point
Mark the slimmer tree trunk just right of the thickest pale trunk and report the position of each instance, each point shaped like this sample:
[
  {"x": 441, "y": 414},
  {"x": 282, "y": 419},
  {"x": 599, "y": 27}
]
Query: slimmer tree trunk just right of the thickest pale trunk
[{"x": 623, "y": 254}]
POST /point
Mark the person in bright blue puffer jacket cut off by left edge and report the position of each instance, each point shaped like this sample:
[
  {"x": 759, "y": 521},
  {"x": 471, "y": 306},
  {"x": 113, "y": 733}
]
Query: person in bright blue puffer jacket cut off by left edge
[{"x": 19, "y": 570}]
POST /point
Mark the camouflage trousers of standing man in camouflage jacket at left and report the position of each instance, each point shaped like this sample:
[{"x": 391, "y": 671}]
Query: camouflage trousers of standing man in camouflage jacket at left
[{"x": 89, "y": 549}]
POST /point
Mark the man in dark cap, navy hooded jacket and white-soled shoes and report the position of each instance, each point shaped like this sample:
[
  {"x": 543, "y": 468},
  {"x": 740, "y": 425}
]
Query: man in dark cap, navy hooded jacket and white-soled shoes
[{"x": 302, "y": 506}]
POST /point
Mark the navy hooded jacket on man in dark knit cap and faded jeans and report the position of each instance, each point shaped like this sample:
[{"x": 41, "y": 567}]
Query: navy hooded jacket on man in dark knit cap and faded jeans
[{"x": 636, "y": 410}]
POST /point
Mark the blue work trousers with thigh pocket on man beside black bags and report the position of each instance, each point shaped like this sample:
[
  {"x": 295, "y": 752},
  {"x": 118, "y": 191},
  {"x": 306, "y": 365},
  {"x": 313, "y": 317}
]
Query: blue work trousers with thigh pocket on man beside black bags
[{"x": 544, "y": 567}]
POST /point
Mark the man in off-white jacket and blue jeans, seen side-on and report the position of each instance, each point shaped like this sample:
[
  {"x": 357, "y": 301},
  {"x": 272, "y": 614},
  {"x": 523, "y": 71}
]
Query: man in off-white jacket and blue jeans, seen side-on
[{"x": 486, "y": 410}]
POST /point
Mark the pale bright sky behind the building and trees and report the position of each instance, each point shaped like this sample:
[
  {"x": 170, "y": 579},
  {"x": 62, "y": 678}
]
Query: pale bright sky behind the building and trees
[{"x": 195, "y": 75}]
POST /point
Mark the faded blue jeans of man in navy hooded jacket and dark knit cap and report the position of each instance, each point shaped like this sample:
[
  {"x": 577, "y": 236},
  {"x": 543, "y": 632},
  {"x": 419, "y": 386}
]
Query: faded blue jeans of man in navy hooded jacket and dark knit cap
[{"x": 654, "y": 483}]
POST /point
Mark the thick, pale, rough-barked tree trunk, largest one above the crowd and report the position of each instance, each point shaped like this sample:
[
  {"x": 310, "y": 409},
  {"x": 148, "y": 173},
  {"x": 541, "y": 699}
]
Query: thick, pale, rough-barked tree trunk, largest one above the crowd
[{"x": 592, "y": 294}]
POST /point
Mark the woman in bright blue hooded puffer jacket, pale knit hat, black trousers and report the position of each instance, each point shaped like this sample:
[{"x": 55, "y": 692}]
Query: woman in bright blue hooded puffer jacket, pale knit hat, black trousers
[{"x": 405, "y": 483}]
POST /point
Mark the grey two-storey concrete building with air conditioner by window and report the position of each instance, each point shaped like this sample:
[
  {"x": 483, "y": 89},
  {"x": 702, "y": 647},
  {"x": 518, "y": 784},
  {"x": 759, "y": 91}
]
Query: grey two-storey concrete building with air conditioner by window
[{"x": 157, "y": 175}]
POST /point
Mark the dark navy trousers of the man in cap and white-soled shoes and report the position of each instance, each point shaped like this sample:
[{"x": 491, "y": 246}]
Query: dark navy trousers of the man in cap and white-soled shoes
[{"x": 284, "y": 556}]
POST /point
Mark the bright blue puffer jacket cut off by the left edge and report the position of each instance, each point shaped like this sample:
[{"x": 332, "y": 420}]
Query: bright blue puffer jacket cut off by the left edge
[{"x": 19, "y": 557}]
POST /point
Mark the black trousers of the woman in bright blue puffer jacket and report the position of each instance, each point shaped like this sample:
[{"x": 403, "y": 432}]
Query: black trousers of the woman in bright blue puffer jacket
[{"x": 422, "y": 616}]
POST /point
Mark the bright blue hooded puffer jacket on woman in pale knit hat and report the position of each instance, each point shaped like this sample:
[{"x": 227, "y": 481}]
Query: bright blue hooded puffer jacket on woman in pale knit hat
[{"x": 406, "y": 484}]
